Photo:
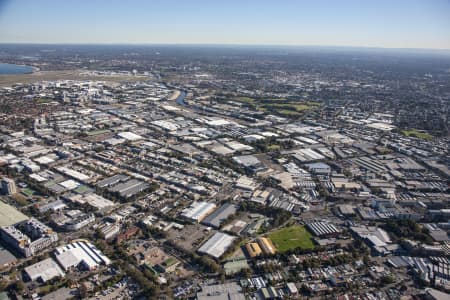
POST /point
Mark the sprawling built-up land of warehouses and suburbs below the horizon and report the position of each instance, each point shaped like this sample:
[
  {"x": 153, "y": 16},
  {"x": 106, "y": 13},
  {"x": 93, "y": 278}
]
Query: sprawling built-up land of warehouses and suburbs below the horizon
[{"x": 203, "y": 173}]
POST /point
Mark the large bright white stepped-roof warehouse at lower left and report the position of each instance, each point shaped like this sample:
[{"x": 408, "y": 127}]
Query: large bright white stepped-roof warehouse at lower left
[{"x": 80, "y": 254}]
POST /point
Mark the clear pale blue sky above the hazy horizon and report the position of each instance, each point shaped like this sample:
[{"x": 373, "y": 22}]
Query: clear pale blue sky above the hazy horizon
[{"x": 360, "y": 23}]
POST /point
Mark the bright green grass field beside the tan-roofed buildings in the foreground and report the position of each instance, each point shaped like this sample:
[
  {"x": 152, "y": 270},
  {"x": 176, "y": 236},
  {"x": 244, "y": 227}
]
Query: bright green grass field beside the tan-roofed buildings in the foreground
[{"x": 291, "y": 237}]
